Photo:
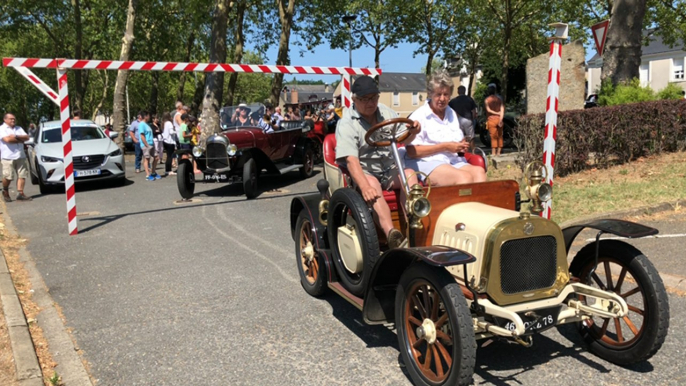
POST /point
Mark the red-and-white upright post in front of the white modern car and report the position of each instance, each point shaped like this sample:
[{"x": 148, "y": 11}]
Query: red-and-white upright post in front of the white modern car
[{"x": 66, "y": 145}]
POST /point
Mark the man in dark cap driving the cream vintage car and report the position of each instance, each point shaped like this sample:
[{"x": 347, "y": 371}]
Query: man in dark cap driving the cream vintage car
[{"x": 371, "y": 168}]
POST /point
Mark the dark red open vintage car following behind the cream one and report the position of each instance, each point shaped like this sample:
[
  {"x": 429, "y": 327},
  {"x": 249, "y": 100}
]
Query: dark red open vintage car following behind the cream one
[{"x": 239, "y": 154}]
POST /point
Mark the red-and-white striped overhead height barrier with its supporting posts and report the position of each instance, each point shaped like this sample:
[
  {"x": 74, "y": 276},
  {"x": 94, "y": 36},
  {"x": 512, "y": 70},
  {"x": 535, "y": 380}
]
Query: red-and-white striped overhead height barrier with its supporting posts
[{"x": 62, "y": 100}]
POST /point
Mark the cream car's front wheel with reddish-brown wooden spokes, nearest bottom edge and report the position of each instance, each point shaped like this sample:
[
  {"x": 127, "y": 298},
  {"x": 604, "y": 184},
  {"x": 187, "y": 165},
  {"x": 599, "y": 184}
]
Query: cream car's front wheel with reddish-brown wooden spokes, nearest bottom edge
[{"x": 434, "y": 327}]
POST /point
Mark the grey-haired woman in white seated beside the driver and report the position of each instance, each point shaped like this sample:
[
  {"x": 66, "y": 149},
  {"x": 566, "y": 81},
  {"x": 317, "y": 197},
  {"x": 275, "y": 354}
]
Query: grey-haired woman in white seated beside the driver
[{"x": 436, "y": 150}]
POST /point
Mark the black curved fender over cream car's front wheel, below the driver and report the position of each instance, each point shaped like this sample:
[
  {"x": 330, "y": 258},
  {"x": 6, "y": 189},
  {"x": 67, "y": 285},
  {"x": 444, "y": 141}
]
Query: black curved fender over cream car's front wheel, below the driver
[{"x": 379, "y": 300}]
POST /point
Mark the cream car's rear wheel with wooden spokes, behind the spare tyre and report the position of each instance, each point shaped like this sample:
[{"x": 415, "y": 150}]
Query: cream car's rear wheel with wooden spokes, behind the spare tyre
[{"x": 310, "y": 268}]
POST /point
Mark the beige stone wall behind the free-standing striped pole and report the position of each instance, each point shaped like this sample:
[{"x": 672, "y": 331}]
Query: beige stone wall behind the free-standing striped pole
[{"x": 572, "y": 81}]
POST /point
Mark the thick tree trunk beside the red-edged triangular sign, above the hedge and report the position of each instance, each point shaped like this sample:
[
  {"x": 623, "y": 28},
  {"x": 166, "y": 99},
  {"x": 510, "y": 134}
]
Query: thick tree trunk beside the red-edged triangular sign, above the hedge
[{"x": 622, "y": 56}]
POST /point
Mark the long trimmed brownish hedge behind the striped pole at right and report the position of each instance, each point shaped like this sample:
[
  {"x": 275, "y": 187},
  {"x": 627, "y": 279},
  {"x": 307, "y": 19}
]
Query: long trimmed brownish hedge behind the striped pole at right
[{"x": 604, "y": 136}]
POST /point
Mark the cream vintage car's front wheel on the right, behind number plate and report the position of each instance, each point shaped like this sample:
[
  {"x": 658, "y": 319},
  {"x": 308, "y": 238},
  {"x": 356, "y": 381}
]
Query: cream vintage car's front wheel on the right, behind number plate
[{"x": 625, "y": 271}]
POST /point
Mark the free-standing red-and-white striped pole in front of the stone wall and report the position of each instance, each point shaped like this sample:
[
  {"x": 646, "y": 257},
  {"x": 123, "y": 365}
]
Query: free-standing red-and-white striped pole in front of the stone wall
[{"x": 552, "y": 104}]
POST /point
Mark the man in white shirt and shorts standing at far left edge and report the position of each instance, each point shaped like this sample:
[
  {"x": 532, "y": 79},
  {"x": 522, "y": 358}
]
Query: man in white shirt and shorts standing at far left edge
[{"x": 12, "y": 140}]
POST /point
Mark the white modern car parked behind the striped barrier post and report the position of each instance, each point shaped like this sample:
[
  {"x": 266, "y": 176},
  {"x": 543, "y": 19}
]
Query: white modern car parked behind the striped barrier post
[{"x": 95, "y": 156}]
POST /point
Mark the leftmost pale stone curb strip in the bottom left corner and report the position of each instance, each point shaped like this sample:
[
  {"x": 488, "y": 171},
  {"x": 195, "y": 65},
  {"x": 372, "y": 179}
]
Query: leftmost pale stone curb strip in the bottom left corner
[{"x": 25, "y": 359}]
